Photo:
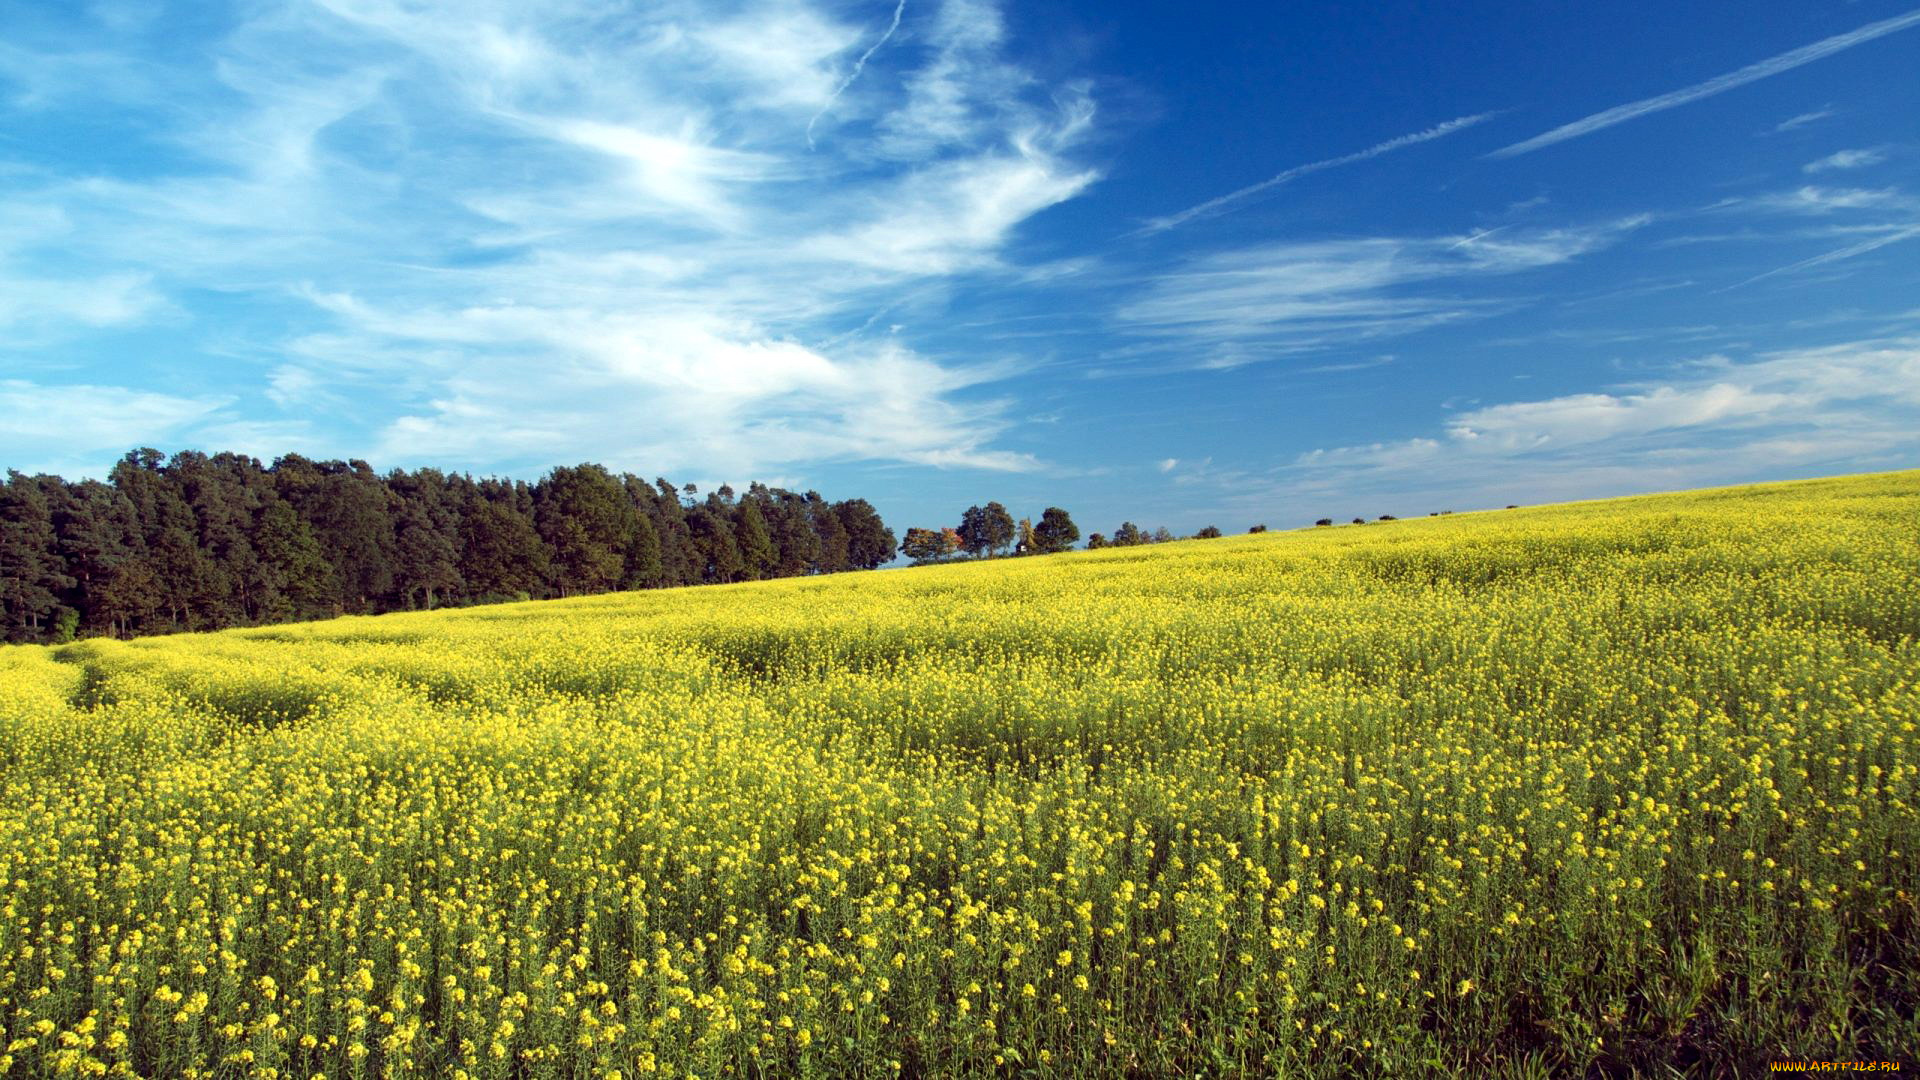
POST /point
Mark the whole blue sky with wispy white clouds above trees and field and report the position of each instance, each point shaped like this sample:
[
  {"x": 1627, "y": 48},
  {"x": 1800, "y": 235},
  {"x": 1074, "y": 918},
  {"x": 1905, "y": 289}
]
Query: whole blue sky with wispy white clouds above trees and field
[{"x": 1159, "y": 262}]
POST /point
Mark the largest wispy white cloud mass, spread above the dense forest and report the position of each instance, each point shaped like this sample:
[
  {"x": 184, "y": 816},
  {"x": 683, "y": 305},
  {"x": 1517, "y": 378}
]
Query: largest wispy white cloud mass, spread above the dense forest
[{"x": 498, "y": 233}]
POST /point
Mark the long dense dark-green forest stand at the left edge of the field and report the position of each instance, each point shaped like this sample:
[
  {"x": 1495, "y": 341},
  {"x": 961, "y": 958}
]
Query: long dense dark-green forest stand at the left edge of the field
[{"x": 201, "y": 543}]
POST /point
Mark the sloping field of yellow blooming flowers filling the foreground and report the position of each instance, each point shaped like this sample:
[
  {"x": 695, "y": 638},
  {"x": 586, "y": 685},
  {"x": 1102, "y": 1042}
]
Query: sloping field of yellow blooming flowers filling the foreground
[{"x": 1616, "y": 785}]
